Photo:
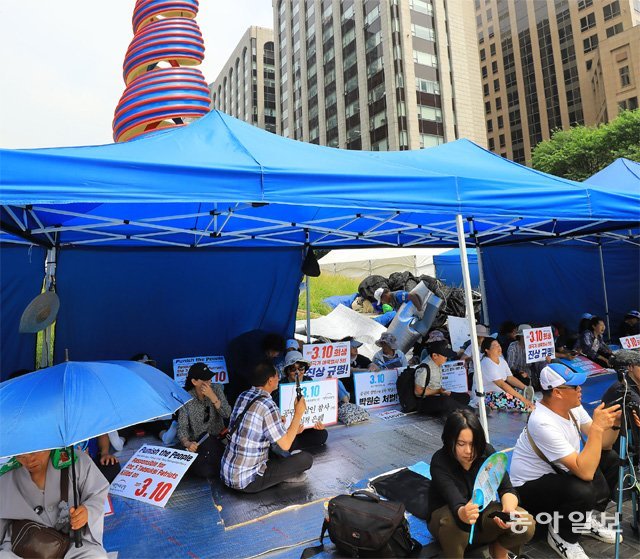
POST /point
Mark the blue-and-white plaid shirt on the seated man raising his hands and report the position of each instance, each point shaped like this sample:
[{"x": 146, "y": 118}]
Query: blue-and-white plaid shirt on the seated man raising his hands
[{"x": 247, "y": 453}]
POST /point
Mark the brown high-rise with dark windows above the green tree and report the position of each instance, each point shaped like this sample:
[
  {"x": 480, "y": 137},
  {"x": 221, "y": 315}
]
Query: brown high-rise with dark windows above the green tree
[{"x": 538, "y": 60}]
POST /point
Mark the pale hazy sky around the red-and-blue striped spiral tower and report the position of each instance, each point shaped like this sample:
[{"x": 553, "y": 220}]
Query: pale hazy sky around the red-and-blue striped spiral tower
[{"x": 62, "y": 63}]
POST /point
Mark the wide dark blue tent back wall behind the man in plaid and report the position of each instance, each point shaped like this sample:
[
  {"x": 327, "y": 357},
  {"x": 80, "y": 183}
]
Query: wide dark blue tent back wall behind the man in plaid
[{"x": 171, "y": 303}]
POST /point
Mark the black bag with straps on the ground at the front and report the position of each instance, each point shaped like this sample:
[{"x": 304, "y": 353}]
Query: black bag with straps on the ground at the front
[{"x": 363, "y": 525}]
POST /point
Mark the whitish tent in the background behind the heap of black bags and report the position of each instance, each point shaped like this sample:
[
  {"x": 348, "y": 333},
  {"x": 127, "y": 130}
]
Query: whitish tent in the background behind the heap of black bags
[{"x": 362, "y": 262}]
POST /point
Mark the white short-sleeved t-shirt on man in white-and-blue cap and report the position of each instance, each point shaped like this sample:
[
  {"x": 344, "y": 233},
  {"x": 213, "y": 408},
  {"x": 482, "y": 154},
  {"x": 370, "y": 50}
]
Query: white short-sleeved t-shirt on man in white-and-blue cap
[{"x": 555, "y": 436}]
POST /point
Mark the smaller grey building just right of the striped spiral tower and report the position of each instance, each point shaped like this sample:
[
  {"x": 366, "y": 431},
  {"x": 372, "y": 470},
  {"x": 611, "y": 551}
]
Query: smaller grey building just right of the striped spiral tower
[{"x": 246, "y": 86}]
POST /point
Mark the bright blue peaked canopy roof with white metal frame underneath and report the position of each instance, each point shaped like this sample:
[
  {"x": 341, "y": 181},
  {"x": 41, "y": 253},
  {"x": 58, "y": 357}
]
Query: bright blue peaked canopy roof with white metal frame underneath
[{"x": 221, "y": 181}]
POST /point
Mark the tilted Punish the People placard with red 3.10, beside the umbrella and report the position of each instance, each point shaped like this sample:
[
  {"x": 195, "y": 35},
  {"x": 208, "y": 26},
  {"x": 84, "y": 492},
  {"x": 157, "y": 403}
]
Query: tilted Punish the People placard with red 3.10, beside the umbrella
[{"x": 152, "y": 474}]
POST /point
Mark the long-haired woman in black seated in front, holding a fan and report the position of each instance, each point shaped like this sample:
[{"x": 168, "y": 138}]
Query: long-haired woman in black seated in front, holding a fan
[{"x": 451, "y": 511}]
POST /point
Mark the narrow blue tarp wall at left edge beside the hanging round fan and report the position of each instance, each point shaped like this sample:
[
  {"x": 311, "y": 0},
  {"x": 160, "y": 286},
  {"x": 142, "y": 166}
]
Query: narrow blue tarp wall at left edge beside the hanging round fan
[{"x": 21, "y": 276}]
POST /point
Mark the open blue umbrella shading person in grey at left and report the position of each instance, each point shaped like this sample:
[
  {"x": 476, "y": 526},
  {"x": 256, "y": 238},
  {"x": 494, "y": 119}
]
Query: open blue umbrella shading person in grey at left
[{"x": 75, "y": 401}]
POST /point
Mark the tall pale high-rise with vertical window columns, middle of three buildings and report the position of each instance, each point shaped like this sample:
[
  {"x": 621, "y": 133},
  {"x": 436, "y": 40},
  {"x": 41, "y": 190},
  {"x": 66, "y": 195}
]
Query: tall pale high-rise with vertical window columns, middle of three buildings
[{"x": 377, "y": 74}]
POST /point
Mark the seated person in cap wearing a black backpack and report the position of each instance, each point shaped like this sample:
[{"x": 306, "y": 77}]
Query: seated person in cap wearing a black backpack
[{"x": 432, "y": 398}]
